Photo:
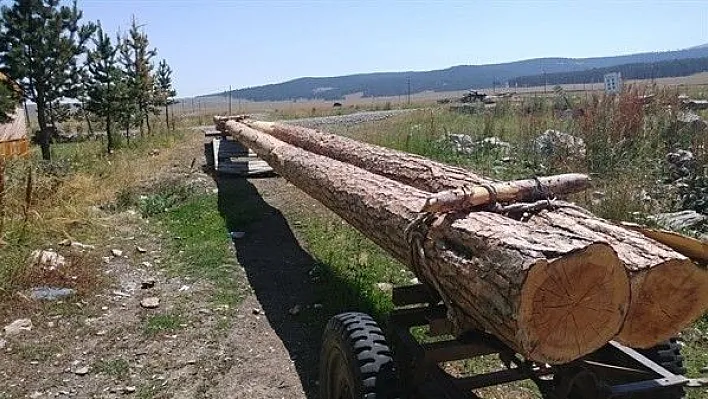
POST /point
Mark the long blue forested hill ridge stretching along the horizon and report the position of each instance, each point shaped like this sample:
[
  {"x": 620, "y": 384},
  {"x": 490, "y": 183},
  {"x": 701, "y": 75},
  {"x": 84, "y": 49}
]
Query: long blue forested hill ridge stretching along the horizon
[{"x": 460, "y": 77}]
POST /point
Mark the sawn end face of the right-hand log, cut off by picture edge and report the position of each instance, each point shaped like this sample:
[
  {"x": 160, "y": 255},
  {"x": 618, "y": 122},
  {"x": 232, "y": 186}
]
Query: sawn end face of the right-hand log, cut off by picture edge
[{"x": 666, "y": 298}]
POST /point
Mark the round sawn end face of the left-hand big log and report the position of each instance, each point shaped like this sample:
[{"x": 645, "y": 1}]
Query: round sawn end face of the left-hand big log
[{"x": 573, "y": 305}]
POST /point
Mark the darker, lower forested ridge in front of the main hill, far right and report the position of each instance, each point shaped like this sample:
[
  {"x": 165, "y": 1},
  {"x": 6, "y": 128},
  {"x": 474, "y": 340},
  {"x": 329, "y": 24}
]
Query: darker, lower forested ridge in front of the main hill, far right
[{"x": 644, "y": 70}]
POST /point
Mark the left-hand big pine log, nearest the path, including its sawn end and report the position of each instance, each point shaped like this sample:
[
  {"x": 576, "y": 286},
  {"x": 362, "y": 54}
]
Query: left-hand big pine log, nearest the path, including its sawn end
[{"x": 552, "y": 296}]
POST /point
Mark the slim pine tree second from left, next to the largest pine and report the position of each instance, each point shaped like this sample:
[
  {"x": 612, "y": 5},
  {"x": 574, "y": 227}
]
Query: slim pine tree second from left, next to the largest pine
[{"x": 105, "y": 77}]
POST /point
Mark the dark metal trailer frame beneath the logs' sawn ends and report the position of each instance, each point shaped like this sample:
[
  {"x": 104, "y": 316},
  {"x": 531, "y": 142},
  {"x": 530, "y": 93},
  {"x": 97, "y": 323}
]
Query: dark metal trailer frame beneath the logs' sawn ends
[{"x": 613, "y": 371}]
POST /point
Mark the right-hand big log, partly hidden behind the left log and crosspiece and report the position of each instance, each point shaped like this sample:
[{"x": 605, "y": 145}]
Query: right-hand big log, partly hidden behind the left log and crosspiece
[{"x": 669, "y": 291}]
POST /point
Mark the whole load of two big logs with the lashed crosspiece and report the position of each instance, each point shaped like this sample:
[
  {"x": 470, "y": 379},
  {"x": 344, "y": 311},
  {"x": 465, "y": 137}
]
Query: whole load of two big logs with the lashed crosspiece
[{"x": 546, "y": 277}]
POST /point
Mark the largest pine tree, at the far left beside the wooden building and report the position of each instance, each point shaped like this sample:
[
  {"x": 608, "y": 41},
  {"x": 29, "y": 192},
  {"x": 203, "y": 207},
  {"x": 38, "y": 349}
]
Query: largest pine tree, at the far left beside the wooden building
[{"x": 40, "y": 41}]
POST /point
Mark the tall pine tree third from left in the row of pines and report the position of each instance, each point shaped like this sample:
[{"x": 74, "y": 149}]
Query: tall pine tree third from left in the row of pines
[{"x": 136, "y": 57}]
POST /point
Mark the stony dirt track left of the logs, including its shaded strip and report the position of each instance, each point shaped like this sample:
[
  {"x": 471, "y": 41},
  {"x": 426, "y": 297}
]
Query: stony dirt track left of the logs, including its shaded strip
[{"x": 107, "y": 345}]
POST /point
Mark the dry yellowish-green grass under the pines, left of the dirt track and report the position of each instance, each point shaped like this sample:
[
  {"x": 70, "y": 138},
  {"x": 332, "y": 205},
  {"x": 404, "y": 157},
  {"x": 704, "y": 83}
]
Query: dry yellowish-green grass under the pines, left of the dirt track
[{"x": 64, "y": 197}]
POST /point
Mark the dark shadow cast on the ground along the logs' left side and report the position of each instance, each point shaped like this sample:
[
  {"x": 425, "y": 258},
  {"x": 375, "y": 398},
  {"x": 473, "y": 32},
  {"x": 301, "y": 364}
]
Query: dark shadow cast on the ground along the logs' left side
[{"x": 277, "y": 269}]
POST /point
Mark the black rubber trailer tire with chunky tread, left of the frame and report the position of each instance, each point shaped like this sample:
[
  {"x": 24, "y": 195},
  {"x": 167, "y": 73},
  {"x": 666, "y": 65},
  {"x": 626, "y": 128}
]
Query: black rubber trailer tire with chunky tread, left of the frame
[{"x": 356, "y": 361}]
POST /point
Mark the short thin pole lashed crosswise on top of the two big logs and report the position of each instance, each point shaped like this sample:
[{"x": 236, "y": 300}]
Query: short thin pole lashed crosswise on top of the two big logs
[{"x": 513, "y": 191}]
